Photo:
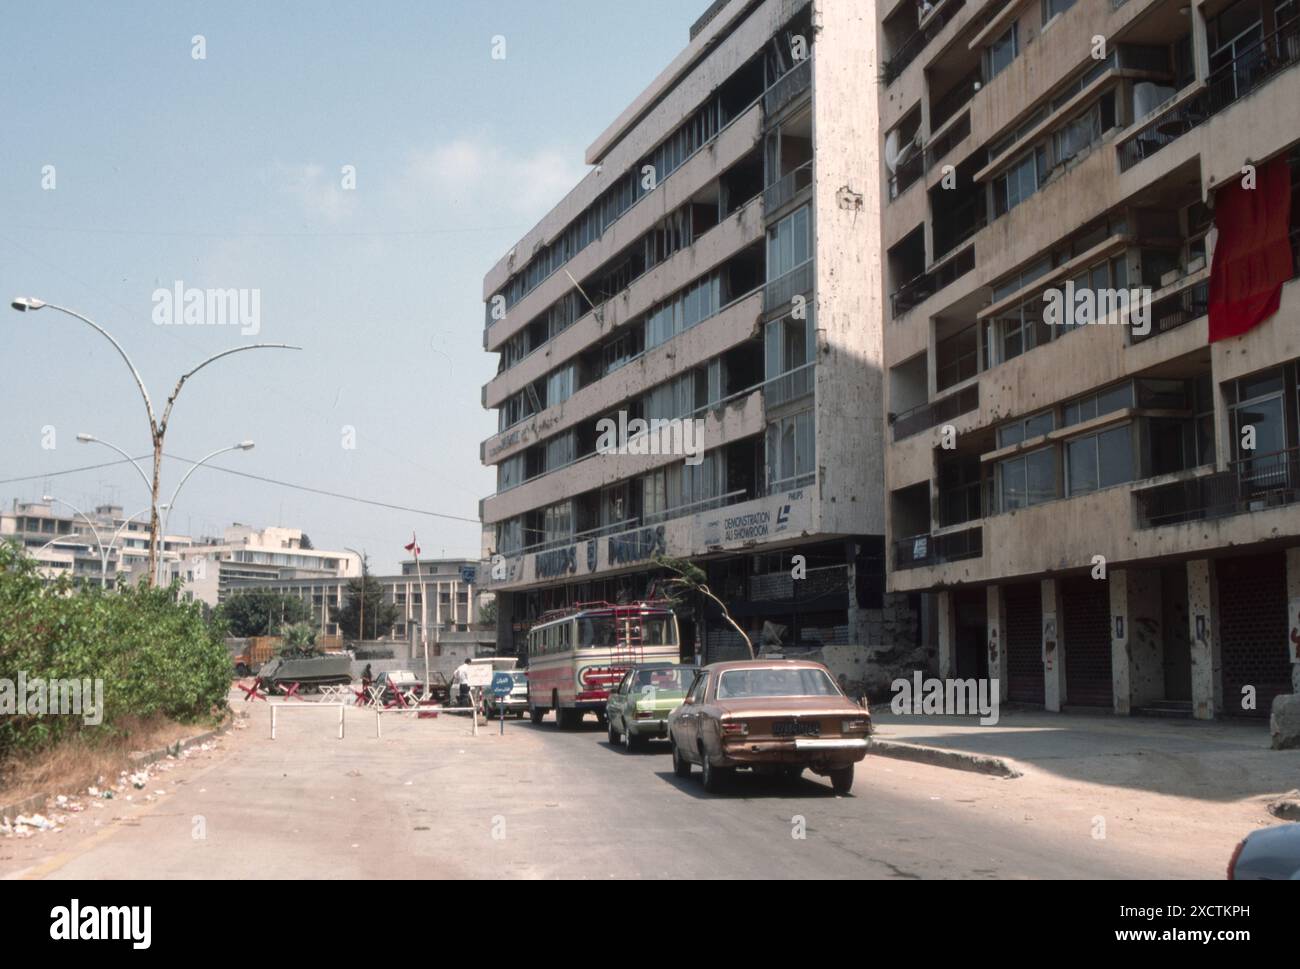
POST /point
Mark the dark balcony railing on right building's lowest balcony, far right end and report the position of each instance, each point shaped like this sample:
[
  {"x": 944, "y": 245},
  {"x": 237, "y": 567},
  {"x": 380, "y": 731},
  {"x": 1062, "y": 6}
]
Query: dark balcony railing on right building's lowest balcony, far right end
[{"x": 1254, "y": 484}]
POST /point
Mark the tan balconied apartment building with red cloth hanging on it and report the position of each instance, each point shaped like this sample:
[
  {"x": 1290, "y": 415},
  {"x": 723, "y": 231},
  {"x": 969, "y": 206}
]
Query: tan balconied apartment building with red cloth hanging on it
[{"x": 1104, "y": 509}]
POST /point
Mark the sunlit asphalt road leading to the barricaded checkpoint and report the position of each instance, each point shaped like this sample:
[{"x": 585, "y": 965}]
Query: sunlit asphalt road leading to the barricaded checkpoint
[{"x": 432, "y": 801}]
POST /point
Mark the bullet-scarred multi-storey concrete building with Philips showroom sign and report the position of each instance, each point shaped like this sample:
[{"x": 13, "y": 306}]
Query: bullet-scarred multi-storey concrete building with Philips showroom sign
[{"x": 721, "y": 265}]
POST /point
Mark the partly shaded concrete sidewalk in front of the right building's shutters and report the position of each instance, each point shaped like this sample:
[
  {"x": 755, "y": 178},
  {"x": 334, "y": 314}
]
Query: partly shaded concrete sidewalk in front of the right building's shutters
[{"x": 1216, "y": 762}]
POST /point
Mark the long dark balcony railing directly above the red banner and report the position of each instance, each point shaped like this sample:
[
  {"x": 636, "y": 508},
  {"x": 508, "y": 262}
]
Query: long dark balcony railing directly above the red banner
[{"x": 1228, "y": 85}]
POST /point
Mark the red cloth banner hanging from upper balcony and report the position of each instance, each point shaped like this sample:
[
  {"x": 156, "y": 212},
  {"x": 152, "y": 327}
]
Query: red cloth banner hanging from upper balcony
[{"x": 1253, "y": 256}]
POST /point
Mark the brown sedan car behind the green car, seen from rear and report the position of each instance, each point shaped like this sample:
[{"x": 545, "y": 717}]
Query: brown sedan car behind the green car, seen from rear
[{"x": 775, "y": 716}]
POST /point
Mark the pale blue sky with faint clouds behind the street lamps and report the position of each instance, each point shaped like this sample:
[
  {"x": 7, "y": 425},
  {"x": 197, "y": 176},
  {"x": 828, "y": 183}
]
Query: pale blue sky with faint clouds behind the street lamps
[{"x": 227, "y": 174}]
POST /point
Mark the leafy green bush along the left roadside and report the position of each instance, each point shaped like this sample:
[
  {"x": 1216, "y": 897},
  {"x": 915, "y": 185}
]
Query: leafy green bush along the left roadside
[{"x": 155, "y": 656}]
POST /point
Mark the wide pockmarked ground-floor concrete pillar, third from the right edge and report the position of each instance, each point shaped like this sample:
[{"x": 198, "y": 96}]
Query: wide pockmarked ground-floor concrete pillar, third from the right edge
[{"x": 1137, "y": 639}]
